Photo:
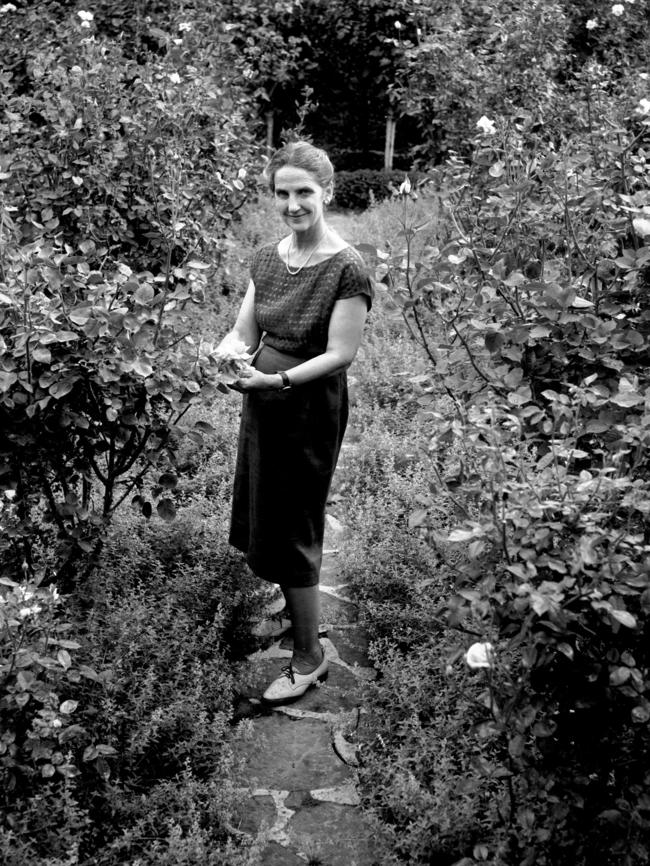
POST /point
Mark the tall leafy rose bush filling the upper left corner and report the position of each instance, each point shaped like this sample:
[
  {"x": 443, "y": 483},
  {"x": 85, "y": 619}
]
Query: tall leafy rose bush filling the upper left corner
[{"x": 141, "y": 160}]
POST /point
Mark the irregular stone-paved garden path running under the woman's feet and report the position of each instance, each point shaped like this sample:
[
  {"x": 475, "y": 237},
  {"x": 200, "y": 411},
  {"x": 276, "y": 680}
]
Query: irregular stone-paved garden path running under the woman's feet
[{"x": 300, "y": 764}]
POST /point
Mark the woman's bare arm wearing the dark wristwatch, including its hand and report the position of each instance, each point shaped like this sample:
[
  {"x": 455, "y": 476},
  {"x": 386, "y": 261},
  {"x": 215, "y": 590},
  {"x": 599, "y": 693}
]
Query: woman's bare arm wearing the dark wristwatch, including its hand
[{"x": 343, "y": 339}]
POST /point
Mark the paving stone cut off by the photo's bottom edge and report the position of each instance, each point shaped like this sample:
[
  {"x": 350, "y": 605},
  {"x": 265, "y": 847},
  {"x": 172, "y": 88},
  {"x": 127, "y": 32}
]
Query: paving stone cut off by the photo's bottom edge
[{"x": 336, "y": 835}]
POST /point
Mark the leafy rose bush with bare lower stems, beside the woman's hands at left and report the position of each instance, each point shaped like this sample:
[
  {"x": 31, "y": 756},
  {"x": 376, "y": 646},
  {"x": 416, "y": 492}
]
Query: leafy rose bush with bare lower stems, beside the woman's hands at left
[{"x": 97, "y": 374}]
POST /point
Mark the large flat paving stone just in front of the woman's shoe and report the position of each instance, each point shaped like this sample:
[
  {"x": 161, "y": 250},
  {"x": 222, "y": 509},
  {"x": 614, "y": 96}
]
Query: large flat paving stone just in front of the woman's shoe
[{"x": 291, "y": 755}]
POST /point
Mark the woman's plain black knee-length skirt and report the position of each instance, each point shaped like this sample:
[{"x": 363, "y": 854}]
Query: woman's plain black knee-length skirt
[{"x": 289, "y": 442}]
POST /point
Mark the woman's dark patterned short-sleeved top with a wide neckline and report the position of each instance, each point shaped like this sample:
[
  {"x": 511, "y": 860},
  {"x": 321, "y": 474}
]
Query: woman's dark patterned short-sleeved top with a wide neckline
[{"x": 294, "y": 309}]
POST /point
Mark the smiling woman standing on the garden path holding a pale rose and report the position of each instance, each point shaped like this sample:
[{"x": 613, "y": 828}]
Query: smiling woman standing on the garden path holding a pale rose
[{"x": 303, "y": 316}]
